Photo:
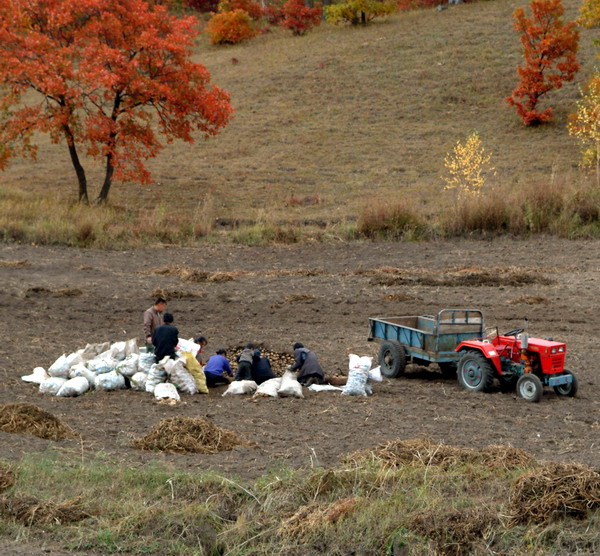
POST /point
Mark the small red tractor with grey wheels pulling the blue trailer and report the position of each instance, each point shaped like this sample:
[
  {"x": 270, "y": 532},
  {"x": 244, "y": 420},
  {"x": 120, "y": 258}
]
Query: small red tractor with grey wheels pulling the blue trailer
[{"x": 515, "y": 359}]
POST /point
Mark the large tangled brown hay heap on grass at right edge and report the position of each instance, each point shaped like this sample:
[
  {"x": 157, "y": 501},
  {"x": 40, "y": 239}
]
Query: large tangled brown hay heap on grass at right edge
[{"x": 555, "y": 488}]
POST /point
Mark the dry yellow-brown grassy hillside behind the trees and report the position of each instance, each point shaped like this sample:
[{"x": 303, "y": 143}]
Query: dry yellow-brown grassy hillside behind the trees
[{"x": 346, "y": 116}]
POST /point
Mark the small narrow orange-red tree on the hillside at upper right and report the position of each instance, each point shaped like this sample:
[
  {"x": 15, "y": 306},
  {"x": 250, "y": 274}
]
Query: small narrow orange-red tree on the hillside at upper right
[{"x": 549, "y": 49}]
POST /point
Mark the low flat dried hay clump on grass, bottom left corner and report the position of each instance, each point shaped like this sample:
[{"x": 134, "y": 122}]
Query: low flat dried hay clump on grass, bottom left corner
[{"x": 28, "y": 510}]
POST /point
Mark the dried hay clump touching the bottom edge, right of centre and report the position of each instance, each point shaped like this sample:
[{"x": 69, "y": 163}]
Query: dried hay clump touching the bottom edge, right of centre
[{"x": 454, "y": 531}]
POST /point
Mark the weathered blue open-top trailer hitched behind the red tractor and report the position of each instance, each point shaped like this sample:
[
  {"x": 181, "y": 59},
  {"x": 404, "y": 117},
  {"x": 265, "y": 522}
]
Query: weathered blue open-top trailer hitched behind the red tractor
[{"x": 424, "y": 339}]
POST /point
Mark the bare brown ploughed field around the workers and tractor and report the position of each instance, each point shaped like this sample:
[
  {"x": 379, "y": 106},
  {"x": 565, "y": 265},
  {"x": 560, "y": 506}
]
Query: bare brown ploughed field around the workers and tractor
[{"x": 272, "y": 299}]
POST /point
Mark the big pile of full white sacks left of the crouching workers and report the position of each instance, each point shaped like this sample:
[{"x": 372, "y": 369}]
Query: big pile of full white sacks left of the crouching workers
[{"x": 106, "y": 366}]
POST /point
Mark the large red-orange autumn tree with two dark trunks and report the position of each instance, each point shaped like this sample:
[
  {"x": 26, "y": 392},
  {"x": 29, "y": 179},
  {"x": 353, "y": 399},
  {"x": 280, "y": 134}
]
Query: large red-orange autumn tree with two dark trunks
[{"x": 108, "y": 78}]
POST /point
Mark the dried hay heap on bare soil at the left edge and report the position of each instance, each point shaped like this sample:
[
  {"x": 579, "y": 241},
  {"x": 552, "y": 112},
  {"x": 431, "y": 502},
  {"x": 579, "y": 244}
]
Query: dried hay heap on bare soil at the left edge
[{"x": 25, "y": 418}]
